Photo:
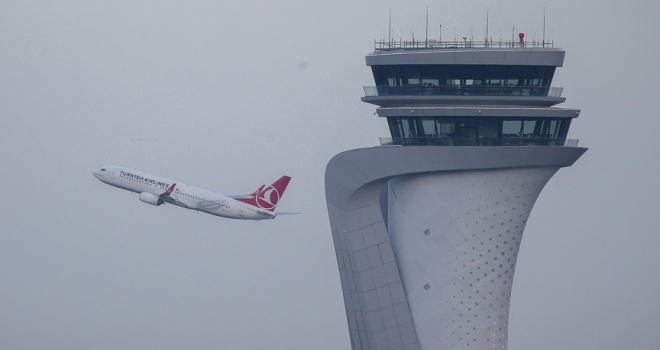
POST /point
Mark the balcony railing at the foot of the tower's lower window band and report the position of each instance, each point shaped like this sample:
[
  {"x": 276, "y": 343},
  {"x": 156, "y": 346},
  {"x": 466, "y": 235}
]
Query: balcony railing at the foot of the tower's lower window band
[{"x": 471, "y": 141}]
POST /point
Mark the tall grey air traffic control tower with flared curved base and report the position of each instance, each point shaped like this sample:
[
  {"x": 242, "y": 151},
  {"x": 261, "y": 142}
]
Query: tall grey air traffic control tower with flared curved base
[{"x": 427, "y": 225}]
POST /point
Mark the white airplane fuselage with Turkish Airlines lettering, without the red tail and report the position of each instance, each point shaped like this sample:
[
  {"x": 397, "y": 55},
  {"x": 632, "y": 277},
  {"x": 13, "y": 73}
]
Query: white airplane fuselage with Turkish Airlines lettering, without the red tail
[{"x": 152, "y": 190}]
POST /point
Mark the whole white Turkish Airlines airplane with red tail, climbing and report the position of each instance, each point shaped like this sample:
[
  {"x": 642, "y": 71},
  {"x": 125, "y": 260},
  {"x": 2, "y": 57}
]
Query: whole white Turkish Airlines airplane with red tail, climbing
[{"x": 258, "y": 205}]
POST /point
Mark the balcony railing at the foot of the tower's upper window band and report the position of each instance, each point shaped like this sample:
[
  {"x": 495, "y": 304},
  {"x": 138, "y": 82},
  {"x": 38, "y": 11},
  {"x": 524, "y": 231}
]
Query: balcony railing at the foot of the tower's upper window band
[{"x": 462, "y": 90}]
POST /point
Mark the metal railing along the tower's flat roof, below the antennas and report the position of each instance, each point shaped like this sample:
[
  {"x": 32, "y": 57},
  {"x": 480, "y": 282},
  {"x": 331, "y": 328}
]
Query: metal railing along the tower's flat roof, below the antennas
[{"x": 393, "y": 45}]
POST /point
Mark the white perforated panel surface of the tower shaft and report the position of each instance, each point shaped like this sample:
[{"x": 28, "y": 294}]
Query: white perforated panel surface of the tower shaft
[{"x": 456, "y": 236}]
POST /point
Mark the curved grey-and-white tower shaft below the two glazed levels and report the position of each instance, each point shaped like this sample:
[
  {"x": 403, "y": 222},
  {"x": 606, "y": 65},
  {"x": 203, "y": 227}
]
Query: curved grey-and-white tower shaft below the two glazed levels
[{"x": 419, "y": 234}]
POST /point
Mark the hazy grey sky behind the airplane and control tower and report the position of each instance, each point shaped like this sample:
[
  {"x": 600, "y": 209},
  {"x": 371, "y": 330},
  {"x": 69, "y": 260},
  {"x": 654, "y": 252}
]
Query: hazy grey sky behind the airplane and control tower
[{"x": 228, "y": 96}]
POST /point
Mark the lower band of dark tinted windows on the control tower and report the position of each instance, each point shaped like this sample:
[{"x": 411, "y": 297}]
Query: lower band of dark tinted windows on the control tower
[{"x": 472, "y": 131}]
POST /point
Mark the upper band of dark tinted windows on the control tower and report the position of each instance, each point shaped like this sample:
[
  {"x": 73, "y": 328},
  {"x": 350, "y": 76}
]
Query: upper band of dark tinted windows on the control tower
[{"x": 462, "y": 79}]
